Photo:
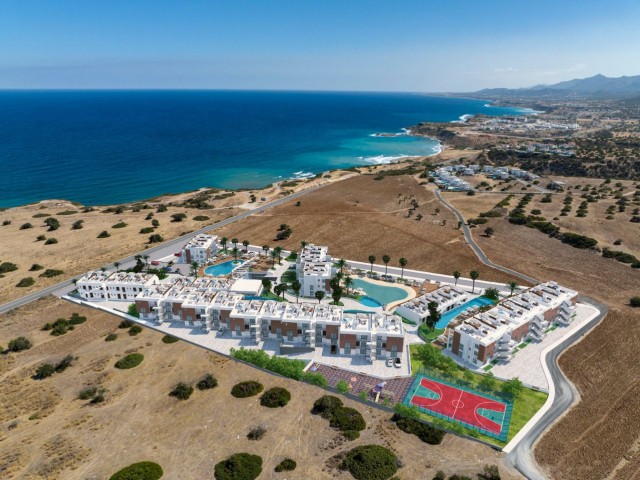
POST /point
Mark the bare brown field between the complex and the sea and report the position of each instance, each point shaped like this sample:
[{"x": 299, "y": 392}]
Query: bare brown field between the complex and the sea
[{"x": 361, "y": 216}]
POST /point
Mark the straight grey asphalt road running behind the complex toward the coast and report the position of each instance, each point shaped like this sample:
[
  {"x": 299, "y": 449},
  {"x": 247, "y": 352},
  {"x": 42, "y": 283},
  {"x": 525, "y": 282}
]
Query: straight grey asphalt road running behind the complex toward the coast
[{"x": 166, "y": 248}]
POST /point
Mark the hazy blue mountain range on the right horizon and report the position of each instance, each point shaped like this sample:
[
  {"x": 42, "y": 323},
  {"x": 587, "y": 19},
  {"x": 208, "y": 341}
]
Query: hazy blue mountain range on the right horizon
[{"x": 596, "y": 87}]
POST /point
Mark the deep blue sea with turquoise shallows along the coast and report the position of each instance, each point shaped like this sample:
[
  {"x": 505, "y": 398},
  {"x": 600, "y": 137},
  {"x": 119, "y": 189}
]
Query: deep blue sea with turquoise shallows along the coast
[{"x": 103, "y": 147}]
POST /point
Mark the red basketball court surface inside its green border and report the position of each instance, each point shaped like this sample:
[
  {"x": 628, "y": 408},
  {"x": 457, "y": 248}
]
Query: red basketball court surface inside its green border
[{"x": 461, "y": 405}]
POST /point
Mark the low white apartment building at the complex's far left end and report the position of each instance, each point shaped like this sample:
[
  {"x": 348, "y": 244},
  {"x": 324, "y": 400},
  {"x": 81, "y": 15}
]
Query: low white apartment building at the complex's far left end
[{"x": 119, "y": 286}]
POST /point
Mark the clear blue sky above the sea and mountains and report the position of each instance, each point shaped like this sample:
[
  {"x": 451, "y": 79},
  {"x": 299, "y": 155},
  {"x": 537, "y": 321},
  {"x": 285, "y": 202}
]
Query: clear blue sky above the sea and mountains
[{"x": 372, "y": 45}]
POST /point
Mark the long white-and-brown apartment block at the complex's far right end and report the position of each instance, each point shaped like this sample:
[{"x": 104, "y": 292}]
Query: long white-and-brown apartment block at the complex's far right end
[{"x": 495, "y": 333}]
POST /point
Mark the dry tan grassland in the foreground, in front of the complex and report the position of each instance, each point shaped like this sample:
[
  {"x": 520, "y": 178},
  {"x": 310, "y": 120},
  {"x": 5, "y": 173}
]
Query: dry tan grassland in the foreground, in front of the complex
[{"x": 46, "y": 432}]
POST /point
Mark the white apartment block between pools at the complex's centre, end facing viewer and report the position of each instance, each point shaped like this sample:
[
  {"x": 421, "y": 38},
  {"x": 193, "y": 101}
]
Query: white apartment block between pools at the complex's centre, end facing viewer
[{"x": 314, "y": 267}]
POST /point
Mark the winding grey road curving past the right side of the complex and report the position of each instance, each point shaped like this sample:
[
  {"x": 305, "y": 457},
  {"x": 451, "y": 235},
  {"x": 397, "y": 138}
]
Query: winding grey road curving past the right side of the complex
[{"x": 521, "y": 457}]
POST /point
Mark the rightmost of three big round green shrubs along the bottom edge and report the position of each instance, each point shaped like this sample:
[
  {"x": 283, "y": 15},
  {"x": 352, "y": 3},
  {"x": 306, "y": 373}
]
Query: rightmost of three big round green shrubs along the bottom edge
[{"x": 370, "y": 462}]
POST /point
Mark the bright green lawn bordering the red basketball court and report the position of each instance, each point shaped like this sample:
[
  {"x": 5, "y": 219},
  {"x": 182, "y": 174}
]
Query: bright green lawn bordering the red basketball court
[{"x": 525, "y": 406}]
